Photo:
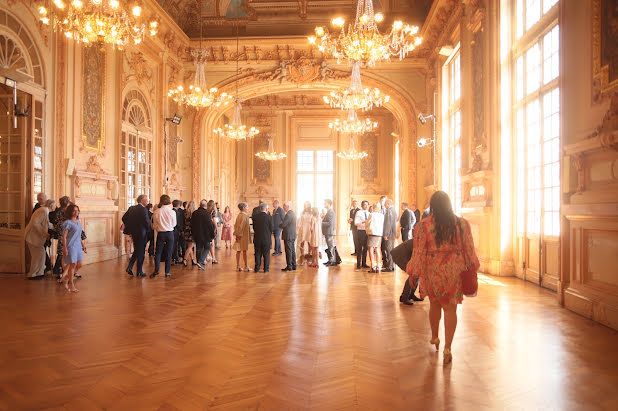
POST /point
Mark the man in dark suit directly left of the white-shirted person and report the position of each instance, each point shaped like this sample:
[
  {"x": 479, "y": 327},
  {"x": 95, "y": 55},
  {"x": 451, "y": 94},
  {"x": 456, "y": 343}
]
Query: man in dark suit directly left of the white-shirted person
[{"x": 136, "y": 223}]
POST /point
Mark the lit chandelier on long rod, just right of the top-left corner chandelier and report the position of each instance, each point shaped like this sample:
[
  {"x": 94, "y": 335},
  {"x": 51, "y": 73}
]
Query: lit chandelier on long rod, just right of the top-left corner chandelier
[{"x": 198, "y": 94}]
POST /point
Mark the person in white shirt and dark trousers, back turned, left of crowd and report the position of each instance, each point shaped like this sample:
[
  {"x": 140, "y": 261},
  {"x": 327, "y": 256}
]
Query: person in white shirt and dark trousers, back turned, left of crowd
[{"x": 163, "y": 222}]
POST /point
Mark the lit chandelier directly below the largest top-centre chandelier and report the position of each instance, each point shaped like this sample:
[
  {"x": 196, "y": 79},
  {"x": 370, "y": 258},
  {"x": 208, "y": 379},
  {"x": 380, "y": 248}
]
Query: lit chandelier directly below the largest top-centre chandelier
[{"x": 356, "y": 97}]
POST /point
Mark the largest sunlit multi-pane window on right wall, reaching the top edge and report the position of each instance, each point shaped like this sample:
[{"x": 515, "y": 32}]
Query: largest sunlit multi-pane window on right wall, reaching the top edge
[{"x": 536, "y": 112}]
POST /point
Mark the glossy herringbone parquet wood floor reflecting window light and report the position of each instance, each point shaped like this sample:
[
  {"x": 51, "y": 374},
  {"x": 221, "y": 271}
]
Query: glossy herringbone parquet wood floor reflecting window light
[{"x": 333, "y": 339}]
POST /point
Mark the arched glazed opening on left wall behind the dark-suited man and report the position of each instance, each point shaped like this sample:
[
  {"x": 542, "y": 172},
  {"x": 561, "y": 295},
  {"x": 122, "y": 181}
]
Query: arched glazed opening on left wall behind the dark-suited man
[{"x": 136, "y": 149}]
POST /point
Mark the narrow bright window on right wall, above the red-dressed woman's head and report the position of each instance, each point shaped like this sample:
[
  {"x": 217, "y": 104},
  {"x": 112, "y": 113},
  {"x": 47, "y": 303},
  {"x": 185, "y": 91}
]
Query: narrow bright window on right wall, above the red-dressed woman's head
[{"x": 451, "y": 127}]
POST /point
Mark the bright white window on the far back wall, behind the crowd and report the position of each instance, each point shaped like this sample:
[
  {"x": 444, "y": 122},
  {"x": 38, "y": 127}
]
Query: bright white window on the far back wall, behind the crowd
[{"x": 315, "y": 177}]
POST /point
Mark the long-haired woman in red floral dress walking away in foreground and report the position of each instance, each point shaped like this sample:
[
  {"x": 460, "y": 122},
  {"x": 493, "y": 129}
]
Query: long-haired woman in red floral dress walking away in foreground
[{"x": 443, "y": 248}]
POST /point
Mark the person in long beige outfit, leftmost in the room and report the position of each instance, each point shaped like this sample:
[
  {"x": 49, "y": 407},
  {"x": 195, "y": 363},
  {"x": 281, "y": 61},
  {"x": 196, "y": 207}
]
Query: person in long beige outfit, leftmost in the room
[{"x": 37, "y": 232}]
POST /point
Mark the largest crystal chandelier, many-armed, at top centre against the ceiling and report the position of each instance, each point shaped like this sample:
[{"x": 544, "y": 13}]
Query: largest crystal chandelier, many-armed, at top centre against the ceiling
[{"x": 362, "y": 41}]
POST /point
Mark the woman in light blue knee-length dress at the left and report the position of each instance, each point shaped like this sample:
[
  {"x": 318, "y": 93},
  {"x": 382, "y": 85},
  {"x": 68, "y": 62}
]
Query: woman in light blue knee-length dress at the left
[{"x": 74, "y": 247}]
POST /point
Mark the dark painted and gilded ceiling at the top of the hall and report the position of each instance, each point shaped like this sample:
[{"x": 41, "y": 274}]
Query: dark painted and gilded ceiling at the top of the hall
[{"x": 277, "y": 17}]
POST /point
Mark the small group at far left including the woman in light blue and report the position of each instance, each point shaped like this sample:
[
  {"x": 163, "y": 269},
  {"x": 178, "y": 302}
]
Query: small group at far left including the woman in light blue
[{"x": 49, "y": 222}]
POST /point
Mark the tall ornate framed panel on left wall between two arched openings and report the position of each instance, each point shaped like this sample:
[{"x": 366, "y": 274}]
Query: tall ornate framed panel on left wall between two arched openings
[{"x": 93, "y": 107}]
